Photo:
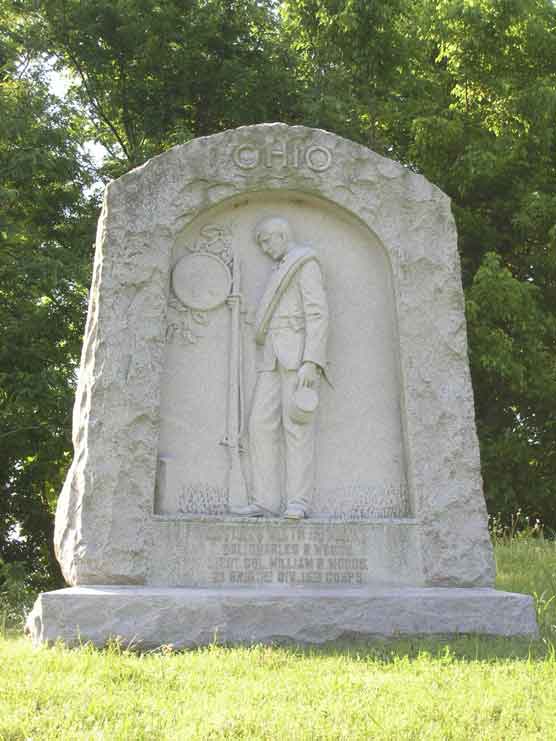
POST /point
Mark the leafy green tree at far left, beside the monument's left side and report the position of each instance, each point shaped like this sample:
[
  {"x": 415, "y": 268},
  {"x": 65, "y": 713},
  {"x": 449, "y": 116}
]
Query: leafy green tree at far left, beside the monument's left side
[{"x": 46, "y": 233}]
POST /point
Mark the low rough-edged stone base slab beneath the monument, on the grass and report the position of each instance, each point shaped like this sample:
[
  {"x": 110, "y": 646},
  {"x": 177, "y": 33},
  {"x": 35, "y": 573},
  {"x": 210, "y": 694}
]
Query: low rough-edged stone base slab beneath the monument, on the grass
[{"x": 148, "y": 617}]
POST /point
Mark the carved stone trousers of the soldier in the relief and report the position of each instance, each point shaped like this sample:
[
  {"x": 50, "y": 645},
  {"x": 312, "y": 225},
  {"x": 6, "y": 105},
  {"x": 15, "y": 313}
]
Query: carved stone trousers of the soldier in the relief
[{"x": 273, "y": 436}]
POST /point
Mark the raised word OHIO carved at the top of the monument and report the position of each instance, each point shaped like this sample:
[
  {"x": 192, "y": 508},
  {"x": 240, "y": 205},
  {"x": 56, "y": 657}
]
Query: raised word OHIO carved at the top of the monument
[{"x": 316, "y": 157}]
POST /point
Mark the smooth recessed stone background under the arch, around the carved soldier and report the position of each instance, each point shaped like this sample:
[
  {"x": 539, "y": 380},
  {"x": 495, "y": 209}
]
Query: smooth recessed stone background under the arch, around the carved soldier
[{"x": 361, "y": 470}]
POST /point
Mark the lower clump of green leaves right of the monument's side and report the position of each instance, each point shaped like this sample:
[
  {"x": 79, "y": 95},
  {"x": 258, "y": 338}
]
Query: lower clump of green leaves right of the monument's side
[{"x": 512, "y": 341}]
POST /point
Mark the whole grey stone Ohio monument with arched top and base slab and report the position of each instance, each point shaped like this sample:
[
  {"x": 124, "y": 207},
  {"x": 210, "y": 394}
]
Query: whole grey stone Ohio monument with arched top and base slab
[{"x": 274, "y": 428}]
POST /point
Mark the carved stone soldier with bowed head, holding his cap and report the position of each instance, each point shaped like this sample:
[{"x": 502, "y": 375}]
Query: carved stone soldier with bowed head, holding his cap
[{"x": 292, "y": 329}]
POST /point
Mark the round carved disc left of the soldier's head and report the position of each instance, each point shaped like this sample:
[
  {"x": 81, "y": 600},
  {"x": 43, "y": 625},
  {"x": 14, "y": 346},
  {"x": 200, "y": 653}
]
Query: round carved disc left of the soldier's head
[{"x": 201, "y": 281}]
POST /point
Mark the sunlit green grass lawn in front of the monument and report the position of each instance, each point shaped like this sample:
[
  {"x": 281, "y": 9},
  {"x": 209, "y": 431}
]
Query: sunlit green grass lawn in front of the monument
[{"x": 466, "y": 688}]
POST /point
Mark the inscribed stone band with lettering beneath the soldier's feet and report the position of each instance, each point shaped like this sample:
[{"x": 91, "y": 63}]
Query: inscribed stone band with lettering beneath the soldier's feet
[{"x": 206, "y": 553}]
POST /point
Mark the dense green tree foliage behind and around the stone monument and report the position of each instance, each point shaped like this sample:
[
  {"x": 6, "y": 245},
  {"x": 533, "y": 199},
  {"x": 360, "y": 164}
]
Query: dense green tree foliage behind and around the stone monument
[{"x": 463, "y": 91}]
